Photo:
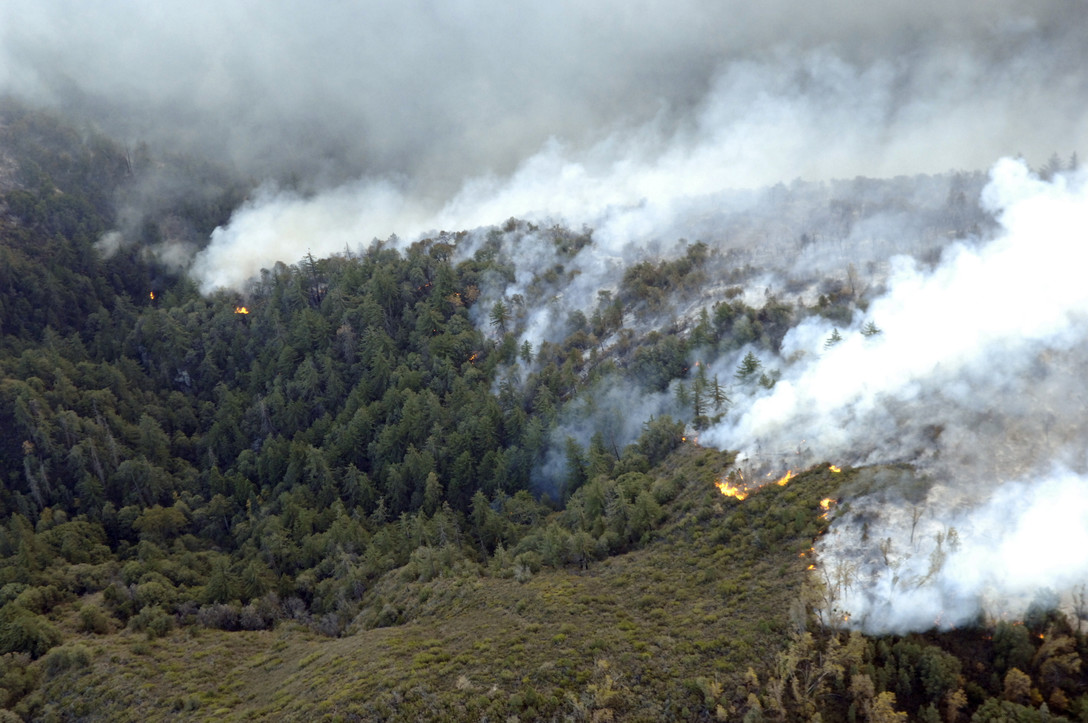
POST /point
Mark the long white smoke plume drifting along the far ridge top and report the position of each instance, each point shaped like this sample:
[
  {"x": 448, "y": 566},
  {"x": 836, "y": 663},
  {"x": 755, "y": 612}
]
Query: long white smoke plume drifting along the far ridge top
[{"x": 814, "y": 117}]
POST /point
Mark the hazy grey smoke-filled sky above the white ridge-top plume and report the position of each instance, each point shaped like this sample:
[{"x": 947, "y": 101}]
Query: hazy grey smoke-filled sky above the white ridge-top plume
[{"x": 431, "y": 94}]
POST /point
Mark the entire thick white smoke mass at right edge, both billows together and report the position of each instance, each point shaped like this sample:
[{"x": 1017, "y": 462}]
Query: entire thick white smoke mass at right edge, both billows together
[{"x": 976, "y": 378}]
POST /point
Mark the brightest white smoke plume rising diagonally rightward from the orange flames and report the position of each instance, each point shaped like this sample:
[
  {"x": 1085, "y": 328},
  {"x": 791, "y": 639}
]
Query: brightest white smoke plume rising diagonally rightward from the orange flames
[{"x": 984, "y": 320}]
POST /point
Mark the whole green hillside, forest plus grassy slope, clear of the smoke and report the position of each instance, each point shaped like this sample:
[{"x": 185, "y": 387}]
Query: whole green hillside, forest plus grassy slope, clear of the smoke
[{"x": 360, "y": 479}]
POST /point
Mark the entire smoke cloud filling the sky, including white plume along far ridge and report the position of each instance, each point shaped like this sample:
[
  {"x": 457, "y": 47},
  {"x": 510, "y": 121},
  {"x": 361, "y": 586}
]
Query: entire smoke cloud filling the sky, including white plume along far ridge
[{"x": 417, "y": 117}]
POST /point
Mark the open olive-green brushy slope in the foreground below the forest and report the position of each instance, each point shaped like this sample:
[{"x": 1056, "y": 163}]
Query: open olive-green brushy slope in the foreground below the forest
[{"x": 665, "y": 632}]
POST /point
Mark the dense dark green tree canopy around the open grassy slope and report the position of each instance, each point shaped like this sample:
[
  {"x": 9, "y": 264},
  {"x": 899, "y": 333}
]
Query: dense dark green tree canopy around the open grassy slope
[{"x": 353, "y": 427}]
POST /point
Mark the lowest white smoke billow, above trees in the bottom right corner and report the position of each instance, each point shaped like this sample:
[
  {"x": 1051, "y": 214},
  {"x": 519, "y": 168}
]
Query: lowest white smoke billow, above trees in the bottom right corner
[{"x": 968, "y": 557}]
